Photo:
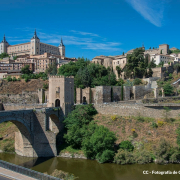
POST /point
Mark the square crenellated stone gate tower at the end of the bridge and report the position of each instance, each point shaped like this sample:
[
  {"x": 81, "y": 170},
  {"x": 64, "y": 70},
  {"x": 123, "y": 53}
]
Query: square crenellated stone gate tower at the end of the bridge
[{"x": 61, "y": 92}]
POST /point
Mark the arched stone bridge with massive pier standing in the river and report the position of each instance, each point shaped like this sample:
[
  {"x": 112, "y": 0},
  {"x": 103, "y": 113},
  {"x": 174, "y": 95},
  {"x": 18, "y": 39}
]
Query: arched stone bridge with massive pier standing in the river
[{"x": 39, "y": 130}]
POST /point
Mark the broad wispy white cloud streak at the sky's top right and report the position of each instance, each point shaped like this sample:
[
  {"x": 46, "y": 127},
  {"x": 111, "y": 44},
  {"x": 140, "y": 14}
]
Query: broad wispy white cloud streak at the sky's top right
[{"x": 151, "y": 10}]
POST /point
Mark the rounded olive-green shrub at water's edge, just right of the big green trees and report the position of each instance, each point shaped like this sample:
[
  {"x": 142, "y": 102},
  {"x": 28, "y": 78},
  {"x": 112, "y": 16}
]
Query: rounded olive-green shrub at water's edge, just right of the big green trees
[{"x": 123, "y": 157}]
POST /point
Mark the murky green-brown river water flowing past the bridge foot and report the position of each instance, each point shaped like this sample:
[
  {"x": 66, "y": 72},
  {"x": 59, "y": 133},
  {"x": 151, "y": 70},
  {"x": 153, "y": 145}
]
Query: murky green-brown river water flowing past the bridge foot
[{"x": 92, "y": 170}]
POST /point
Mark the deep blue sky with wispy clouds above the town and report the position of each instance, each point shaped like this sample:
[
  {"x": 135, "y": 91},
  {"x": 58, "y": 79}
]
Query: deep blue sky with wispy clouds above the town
[{"x": 92, "y": 27}]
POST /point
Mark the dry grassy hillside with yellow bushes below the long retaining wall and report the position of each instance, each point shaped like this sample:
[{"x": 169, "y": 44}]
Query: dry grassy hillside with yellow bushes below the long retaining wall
[{"x": 140, "y": 130}]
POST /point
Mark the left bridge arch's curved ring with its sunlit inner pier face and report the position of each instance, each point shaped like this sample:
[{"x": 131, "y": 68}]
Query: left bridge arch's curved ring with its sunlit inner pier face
[{"x": 23, "y": 138}]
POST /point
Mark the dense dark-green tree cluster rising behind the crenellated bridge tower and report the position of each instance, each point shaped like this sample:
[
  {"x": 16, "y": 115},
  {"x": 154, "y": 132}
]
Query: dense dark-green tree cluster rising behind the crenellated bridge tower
[{"x": 88, "y": 74}]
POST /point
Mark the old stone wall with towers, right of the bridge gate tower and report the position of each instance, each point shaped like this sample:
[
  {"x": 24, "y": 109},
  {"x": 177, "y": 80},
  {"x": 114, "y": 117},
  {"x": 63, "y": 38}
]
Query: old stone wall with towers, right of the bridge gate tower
[{"x": 101, "y": 94}]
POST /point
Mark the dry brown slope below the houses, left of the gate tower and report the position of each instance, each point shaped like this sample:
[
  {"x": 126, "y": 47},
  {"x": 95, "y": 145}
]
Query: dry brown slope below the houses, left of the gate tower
[{"x": 17, "y": 87}]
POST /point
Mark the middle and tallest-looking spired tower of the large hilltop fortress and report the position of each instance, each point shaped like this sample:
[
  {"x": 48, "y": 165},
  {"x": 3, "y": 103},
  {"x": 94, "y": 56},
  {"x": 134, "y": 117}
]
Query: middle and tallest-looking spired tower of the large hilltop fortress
[{"x": 35, "y": 44}]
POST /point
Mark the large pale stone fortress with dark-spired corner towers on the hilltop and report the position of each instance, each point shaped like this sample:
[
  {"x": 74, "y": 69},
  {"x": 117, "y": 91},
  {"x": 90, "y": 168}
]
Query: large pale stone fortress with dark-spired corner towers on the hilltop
[{"x": 34, "y": 47}]
